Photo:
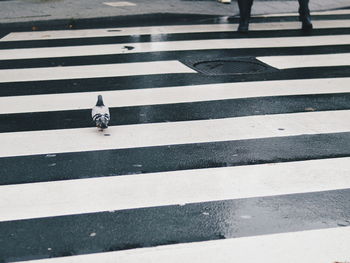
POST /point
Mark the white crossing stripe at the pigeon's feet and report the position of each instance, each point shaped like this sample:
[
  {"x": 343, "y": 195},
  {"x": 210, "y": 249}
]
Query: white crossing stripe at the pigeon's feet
[{"x": 144, "y": 135}]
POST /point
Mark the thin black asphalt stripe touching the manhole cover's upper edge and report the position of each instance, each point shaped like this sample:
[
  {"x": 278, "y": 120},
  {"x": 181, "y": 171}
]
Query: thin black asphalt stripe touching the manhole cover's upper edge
[{"x": 171, "y": 55}]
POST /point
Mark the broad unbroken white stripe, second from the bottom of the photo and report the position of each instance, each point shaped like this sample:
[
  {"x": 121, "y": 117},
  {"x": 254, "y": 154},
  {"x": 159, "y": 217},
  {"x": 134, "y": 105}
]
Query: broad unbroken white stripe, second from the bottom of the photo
[{"x": 59, "y": 198}]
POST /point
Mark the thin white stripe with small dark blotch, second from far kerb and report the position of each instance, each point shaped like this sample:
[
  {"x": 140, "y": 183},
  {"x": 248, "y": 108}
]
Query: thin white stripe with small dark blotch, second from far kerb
[{"x": 72, "y": 51}]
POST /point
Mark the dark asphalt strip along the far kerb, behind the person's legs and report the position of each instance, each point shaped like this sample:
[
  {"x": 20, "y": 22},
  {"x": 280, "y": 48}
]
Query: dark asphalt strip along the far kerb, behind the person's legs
[{"x": 158, "y": 19}]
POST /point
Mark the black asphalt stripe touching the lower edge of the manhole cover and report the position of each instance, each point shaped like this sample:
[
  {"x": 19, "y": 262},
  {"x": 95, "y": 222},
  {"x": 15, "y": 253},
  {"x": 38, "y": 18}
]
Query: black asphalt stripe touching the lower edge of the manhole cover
[{"x": 161, "y": 80}]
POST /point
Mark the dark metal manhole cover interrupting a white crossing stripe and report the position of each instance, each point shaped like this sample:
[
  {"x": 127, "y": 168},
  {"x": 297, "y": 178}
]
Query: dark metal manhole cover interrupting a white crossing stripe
[{"x": 230, "y": 66}]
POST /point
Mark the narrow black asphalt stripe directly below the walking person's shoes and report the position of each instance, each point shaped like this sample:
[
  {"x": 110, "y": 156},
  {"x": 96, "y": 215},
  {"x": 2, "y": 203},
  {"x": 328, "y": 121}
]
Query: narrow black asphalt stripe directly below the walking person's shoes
[{"x": 168, "y": 37}]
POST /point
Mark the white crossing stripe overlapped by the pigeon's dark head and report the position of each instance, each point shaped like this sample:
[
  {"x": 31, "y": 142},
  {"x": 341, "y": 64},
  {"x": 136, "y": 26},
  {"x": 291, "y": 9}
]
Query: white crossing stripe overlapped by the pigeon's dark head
[{"x": 181, "y": 94}]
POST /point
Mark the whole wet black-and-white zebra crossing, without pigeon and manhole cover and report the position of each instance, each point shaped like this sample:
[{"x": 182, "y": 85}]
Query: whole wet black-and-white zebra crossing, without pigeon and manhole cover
[{"x": 194, "y": 167}]
